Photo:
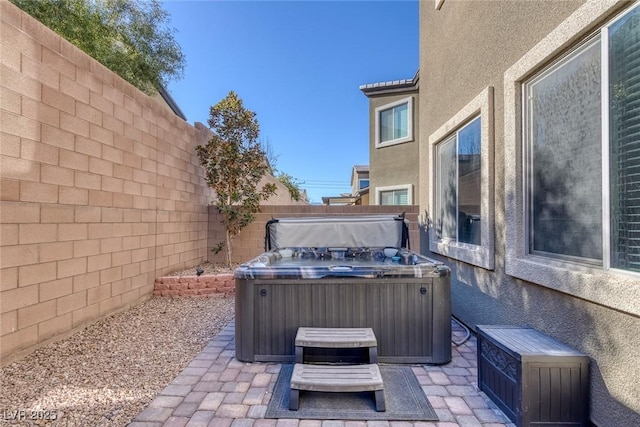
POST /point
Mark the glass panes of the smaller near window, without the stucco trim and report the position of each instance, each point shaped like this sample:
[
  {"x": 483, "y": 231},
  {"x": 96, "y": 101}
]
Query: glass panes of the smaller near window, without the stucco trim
[{"x": 458, "y": 190}]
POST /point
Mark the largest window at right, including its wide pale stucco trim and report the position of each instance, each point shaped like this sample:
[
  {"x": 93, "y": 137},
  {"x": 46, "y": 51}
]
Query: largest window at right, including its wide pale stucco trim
[{"x": 590, "y": 250}]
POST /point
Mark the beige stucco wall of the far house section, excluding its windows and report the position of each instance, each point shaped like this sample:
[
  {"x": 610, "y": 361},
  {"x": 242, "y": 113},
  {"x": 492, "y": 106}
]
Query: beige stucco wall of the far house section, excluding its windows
[{"x": 393, "y": 165}]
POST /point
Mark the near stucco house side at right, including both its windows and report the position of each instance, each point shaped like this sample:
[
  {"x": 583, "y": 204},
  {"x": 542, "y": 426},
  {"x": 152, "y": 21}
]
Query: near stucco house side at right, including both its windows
[{"x": 528, "y": 156}]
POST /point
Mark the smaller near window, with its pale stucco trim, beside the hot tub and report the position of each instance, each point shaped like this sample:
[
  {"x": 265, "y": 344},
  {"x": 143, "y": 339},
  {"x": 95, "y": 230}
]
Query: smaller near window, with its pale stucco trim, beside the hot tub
[{"x": 461, "y": 218}]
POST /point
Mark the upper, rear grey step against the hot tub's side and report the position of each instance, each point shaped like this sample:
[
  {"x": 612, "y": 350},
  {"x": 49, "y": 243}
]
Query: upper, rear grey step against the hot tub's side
[{"x": 336, "y": 338}]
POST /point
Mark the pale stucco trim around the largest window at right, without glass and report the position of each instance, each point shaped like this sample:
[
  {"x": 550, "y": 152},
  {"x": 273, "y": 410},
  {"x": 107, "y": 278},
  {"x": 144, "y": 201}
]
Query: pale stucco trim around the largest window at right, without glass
[{"x": 611, "y": 288}]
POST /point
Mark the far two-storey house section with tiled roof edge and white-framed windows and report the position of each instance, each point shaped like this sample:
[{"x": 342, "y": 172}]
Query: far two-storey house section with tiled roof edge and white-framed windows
[{"x": 393, "y": 141}]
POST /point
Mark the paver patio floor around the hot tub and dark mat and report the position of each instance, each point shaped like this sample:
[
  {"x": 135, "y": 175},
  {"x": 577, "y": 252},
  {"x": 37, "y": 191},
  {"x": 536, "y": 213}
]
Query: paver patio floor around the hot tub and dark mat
[{"x": 217, "y": 390}]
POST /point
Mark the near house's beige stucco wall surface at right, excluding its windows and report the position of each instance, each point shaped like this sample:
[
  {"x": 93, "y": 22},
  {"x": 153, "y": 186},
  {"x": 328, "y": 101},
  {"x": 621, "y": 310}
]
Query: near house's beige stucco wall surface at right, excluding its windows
[{"x": 464, "y": 48}]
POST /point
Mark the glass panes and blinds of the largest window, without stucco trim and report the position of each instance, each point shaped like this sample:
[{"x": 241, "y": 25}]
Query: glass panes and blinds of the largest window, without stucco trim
[{"x": 582, "y": 139}]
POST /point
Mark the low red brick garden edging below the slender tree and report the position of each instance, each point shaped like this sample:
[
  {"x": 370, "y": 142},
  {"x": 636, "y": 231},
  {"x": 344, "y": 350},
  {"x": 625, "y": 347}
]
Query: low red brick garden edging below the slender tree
[{"x": 212, "y": 285}]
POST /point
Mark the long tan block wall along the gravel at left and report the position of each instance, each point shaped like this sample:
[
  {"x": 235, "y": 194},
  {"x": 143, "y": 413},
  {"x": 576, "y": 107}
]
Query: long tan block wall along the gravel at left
[{"x": 101, "y": 191}]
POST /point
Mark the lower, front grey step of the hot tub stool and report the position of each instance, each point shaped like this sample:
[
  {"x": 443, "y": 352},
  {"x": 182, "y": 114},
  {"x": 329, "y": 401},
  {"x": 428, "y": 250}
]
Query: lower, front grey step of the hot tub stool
[{"x": 336, "y": 378}]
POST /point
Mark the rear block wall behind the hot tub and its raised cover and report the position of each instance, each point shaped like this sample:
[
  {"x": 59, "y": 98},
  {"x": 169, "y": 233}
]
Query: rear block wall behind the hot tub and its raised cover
[{"x": 250, "y": 242}]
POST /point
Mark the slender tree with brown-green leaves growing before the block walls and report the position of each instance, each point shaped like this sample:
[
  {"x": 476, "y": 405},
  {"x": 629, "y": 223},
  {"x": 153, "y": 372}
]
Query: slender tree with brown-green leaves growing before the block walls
[{"x": 234, "y": 164}]
